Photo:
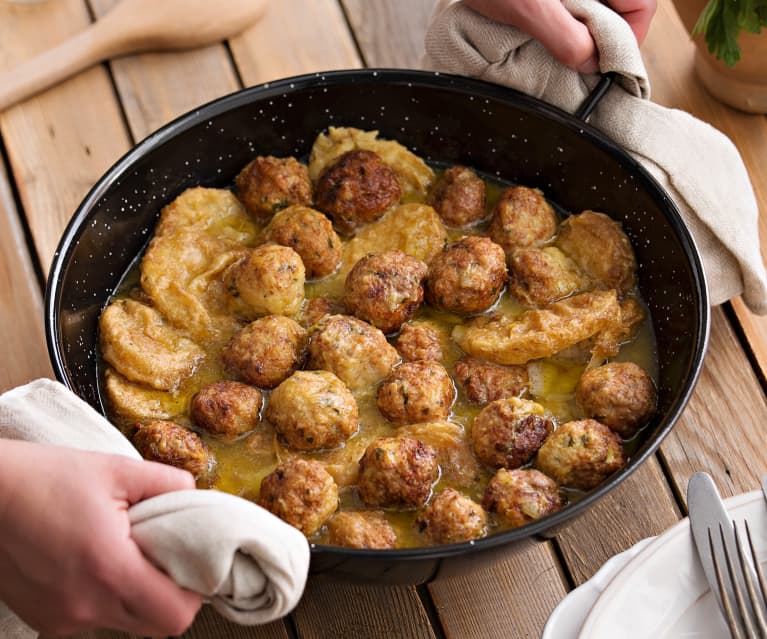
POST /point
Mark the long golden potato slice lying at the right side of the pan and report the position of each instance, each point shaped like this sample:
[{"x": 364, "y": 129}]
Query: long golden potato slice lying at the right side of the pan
[{"x": 539, "y": 333}]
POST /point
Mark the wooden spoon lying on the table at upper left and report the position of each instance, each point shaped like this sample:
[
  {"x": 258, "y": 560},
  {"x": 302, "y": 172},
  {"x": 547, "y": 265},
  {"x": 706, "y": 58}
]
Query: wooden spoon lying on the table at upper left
[{"x": 132, "y": 26}]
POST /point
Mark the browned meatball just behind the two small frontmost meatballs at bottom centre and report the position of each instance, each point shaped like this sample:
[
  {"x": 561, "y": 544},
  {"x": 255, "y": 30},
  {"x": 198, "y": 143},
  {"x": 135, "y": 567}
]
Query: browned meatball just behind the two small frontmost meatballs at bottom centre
[{"x": 397, "y": 472}]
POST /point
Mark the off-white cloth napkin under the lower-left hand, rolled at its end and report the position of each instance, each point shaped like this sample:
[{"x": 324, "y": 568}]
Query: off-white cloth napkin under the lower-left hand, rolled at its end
[{"x": 249, "y": 563}]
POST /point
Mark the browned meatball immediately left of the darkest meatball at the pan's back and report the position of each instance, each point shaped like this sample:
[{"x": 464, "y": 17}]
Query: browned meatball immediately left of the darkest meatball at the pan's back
[{"x": 268, "y": 184}]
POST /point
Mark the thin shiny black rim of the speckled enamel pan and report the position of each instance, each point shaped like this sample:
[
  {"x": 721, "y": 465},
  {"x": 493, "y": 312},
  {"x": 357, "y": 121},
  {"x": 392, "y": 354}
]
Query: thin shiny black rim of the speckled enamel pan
[{"x": 427, "y": 80}]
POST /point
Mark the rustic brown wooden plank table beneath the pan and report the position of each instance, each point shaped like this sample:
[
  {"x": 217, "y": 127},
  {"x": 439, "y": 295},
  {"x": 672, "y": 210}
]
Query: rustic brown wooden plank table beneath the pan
[{"x": 56, "y": 145}]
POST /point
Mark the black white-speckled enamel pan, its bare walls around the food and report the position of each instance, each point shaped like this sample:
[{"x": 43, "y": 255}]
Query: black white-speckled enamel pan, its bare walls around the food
[{"x": 442, "y": 118}]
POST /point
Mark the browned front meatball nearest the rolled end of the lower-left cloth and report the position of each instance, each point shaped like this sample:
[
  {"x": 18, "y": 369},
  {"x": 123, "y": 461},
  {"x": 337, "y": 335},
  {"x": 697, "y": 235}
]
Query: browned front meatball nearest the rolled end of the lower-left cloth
[{"x": 301, "y": 493}]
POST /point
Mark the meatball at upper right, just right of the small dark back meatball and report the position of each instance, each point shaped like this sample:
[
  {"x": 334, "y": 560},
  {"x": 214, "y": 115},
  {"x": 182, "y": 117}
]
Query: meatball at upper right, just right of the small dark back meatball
[{"x": 522, "y": 218}]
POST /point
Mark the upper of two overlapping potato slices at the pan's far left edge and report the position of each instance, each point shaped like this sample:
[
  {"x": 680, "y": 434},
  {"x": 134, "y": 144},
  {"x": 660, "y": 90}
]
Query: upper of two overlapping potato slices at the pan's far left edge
[{"x": 143, "y": 347}]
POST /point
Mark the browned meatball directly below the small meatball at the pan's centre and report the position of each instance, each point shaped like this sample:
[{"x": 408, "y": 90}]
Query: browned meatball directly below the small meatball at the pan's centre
[{"x": 416, "y": 392}]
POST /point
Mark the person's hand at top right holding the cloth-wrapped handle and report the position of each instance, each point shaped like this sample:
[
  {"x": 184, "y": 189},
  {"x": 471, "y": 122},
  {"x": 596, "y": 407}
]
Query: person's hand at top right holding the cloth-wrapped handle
[{"x": 567, "y": 38}]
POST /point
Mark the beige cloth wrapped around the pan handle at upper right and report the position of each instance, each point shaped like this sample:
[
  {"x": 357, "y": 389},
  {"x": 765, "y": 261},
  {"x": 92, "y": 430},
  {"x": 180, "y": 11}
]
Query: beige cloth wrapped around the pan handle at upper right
[{"x": 696, "y": 164}]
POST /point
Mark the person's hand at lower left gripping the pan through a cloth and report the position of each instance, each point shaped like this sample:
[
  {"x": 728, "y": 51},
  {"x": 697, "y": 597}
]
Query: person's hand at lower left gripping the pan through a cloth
[{"x": 67, "y": 560}]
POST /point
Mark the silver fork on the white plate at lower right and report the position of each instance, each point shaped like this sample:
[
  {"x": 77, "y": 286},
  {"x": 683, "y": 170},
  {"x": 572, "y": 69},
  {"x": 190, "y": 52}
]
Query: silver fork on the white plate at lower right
[{"x": 749, "y": 616}]
